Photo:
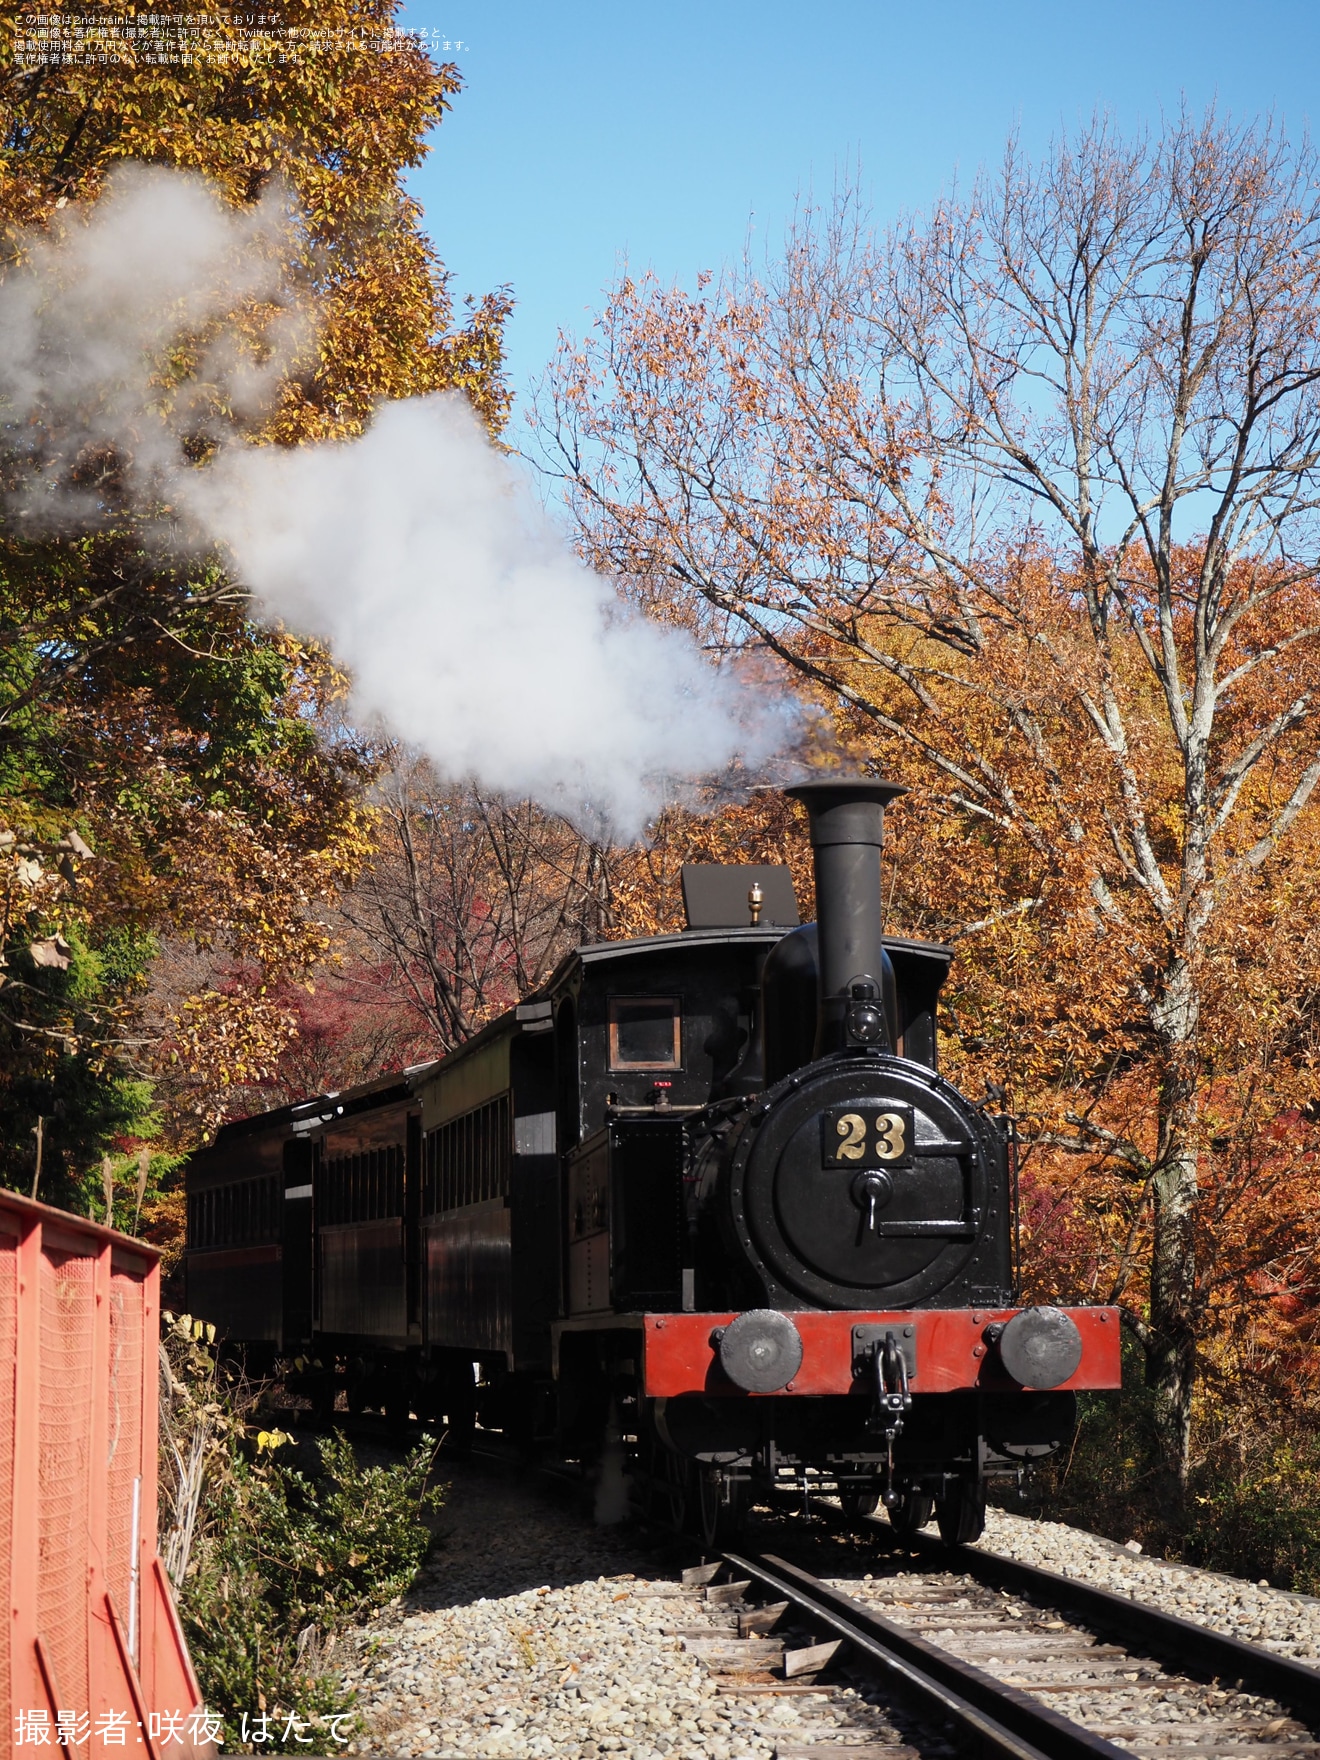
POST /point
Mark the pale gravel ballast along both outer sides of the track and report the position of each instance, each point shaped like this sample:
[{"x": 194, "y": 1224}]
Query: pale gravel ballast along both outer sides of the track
[{"x": 534, "y": 1634}]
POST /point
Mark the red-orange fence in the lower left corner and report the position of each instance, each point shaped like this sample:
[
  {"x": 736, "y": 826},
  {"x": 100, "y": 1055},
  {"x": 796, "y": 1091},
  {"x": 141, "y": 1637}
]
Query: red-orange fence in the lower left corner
[{"x": 92, "y": 1659}]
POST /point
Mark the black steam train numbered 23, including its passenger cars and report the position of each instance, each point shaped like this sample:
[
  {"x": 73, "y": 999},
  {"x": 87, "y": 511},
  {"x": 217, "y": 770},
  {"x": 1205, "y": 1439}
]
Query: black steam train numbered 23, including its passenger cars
[{"x": 701, "y": 1208}]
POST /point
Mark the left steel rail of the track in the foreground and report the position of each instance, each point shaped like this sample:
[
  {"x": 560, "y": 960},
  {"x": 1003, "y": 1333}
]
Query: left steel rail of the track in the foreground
[{"x": 999, "y": 1722}]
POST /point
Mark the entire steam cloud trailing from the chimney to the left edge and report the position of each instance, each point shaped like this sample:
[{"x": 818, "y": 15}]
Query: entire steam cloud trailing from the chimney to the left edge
[{"x": 418, "y": 554}]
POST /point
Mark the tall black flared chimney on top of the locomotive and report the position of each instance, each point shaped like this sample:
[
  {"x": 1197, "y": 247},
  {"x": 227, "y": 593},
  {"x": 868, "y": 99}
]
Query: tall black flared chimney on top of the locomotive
[{"x": 847, "y": 837}]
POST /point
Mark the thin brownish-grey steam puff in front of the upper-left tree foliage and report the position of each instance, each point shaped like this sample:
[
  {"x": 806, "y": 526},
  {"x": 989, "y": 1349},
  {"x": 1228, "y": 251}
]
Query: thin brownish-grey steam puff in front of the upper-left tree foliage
[{"x": 91, "y": 312}]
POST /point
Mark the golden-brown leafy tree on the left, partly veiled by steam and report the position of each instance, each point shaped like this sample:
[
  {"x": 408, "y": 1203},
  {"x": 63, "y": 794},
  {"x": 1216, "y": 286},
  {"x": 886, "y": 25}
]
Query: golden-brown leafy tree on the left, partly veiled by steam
[{"x": 168, "y": 768}]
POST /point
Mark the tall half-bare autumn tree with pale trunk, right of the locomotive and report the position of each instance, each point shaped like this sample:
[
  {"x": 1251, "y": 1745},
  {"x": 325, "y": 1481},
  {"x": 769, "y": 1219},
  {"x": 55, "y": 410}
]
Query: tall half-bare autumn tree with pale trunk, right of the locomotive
[{"x": 1027, "y": 490}]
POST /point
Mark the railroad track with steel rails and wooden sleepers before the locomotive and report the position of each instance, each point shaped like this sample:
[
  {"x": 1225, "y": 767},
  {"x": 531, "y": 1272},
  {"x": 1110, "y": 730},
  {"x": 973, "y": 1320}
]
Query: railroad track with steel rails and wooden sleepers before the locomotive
[{"x": 1001, "y": 1671}]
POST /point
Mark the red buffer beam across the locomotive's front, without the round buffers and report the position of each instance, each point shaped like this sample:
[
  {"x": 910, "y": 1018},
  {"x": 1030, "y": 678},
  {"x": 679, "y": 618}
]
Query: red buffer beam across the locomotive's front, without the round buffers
[{"x": 682, "y": 1356}]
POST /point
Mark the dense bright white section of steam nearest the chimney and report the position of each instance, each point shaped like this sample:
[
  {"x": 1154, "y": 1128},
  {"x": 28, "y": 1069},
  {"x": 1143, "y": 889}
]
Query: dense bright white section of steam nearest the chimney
[{"x": 469, "y": 626}]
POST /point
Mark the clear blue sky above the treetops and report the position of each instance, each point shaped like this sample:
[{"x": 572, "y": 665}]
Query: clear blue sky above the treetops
[{"x": 590, "y": 135}]
